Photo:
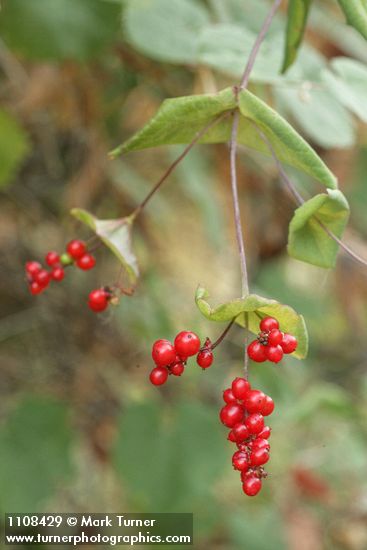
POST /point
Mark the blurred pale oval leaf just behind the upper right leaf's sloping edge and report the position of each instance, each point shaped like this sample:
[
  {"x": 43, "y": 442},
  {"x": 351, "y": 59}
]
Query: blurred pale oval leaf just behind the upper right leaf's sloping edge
[{"x": 319, "y": 115}]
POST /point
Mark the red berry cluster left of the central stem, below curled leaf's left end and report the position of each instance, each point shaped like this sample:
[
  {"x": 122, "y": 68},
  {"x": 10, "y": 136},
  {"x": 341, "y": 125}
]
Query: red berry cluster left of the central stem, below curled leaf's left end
[{"x": 172, "y": 358}]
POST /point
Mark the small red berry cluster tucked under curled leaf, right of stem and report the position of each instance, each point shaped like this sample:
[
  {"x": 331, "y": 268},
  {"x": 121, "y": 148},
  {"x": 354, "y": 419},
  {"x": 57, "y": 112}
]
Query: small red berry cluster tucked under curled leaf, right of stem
[{"x": 271, "y": 344}]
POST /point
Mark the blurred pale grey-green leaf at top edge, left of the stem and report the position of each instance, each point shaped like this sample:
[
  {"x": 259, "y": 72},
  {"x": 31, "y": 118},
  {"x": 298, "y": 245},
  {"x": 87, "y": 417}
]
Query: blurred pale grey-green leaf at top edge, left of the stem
[{"x": 165, "y": 30}]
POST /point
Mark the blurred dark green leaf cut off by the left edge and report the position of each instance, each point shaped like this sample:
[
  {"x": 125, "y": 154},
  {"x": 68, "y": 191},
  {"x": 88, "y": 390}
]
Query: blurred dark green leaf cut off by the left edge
[{"x": 14, "y": 146}]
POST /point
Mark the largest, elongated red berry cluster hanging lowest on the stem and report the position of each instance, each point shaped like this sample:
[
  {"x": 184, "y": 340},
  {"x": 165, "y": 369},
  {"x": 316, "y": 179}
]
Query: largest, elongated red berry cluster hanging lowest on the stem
[{"x": 244, "y": 413}]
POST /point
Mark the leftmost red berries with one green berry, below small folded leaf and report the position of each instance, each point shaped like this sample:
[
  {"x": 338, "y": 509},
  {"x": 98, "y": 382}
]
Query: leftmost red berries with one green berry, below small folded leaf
[{"x": 77, "y": 254}]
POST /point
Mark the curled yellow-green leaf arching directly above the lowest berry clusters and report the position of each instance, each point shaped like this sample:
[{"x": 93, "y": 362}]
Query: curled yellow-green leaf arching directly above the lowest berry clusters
[{"x": 248, "y": 311}]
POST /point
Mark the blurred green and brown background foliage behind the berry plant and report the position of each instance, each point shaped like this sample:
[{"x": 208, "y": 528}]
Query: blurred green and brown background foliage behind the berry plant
[{"x": 81, "y": 427}]
